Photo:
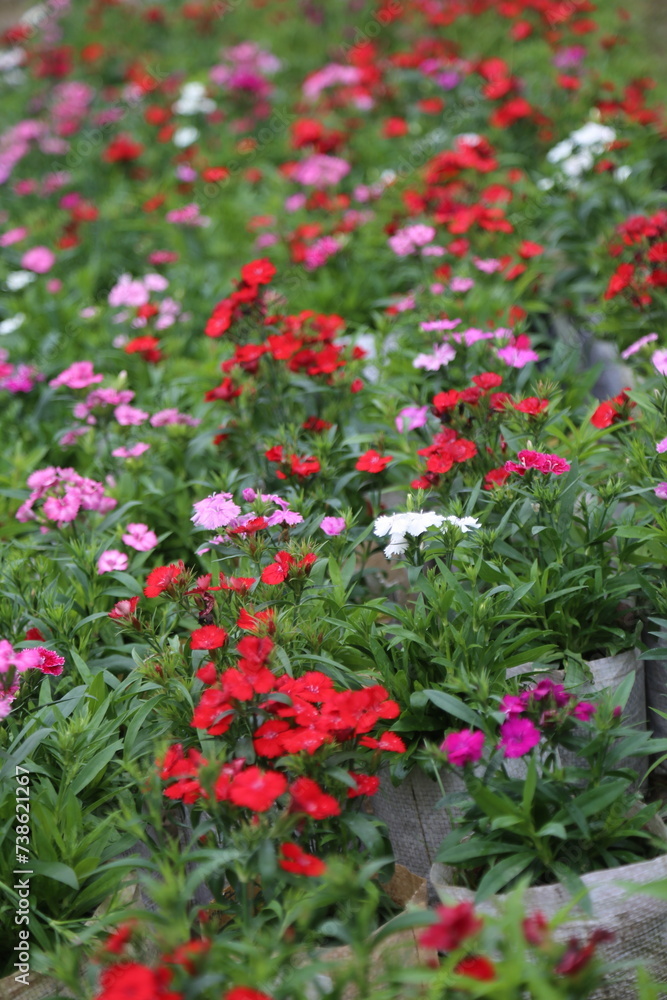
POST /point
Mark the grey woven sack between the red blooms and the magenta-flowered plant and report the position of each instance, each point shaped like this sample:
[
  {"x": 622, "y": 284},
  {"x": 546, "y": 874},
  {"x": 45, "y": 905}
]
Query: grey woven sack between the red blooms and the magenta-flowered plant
[{"x": 416, "y": 825}]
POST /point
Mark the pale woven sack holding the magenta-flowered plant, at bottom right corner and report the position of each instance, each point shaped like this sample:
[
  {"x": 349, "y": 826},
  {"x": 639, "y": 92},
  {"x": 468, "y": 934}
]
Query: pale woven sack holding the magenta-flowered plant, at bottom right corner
[{"x": 638, "y": 922}]
